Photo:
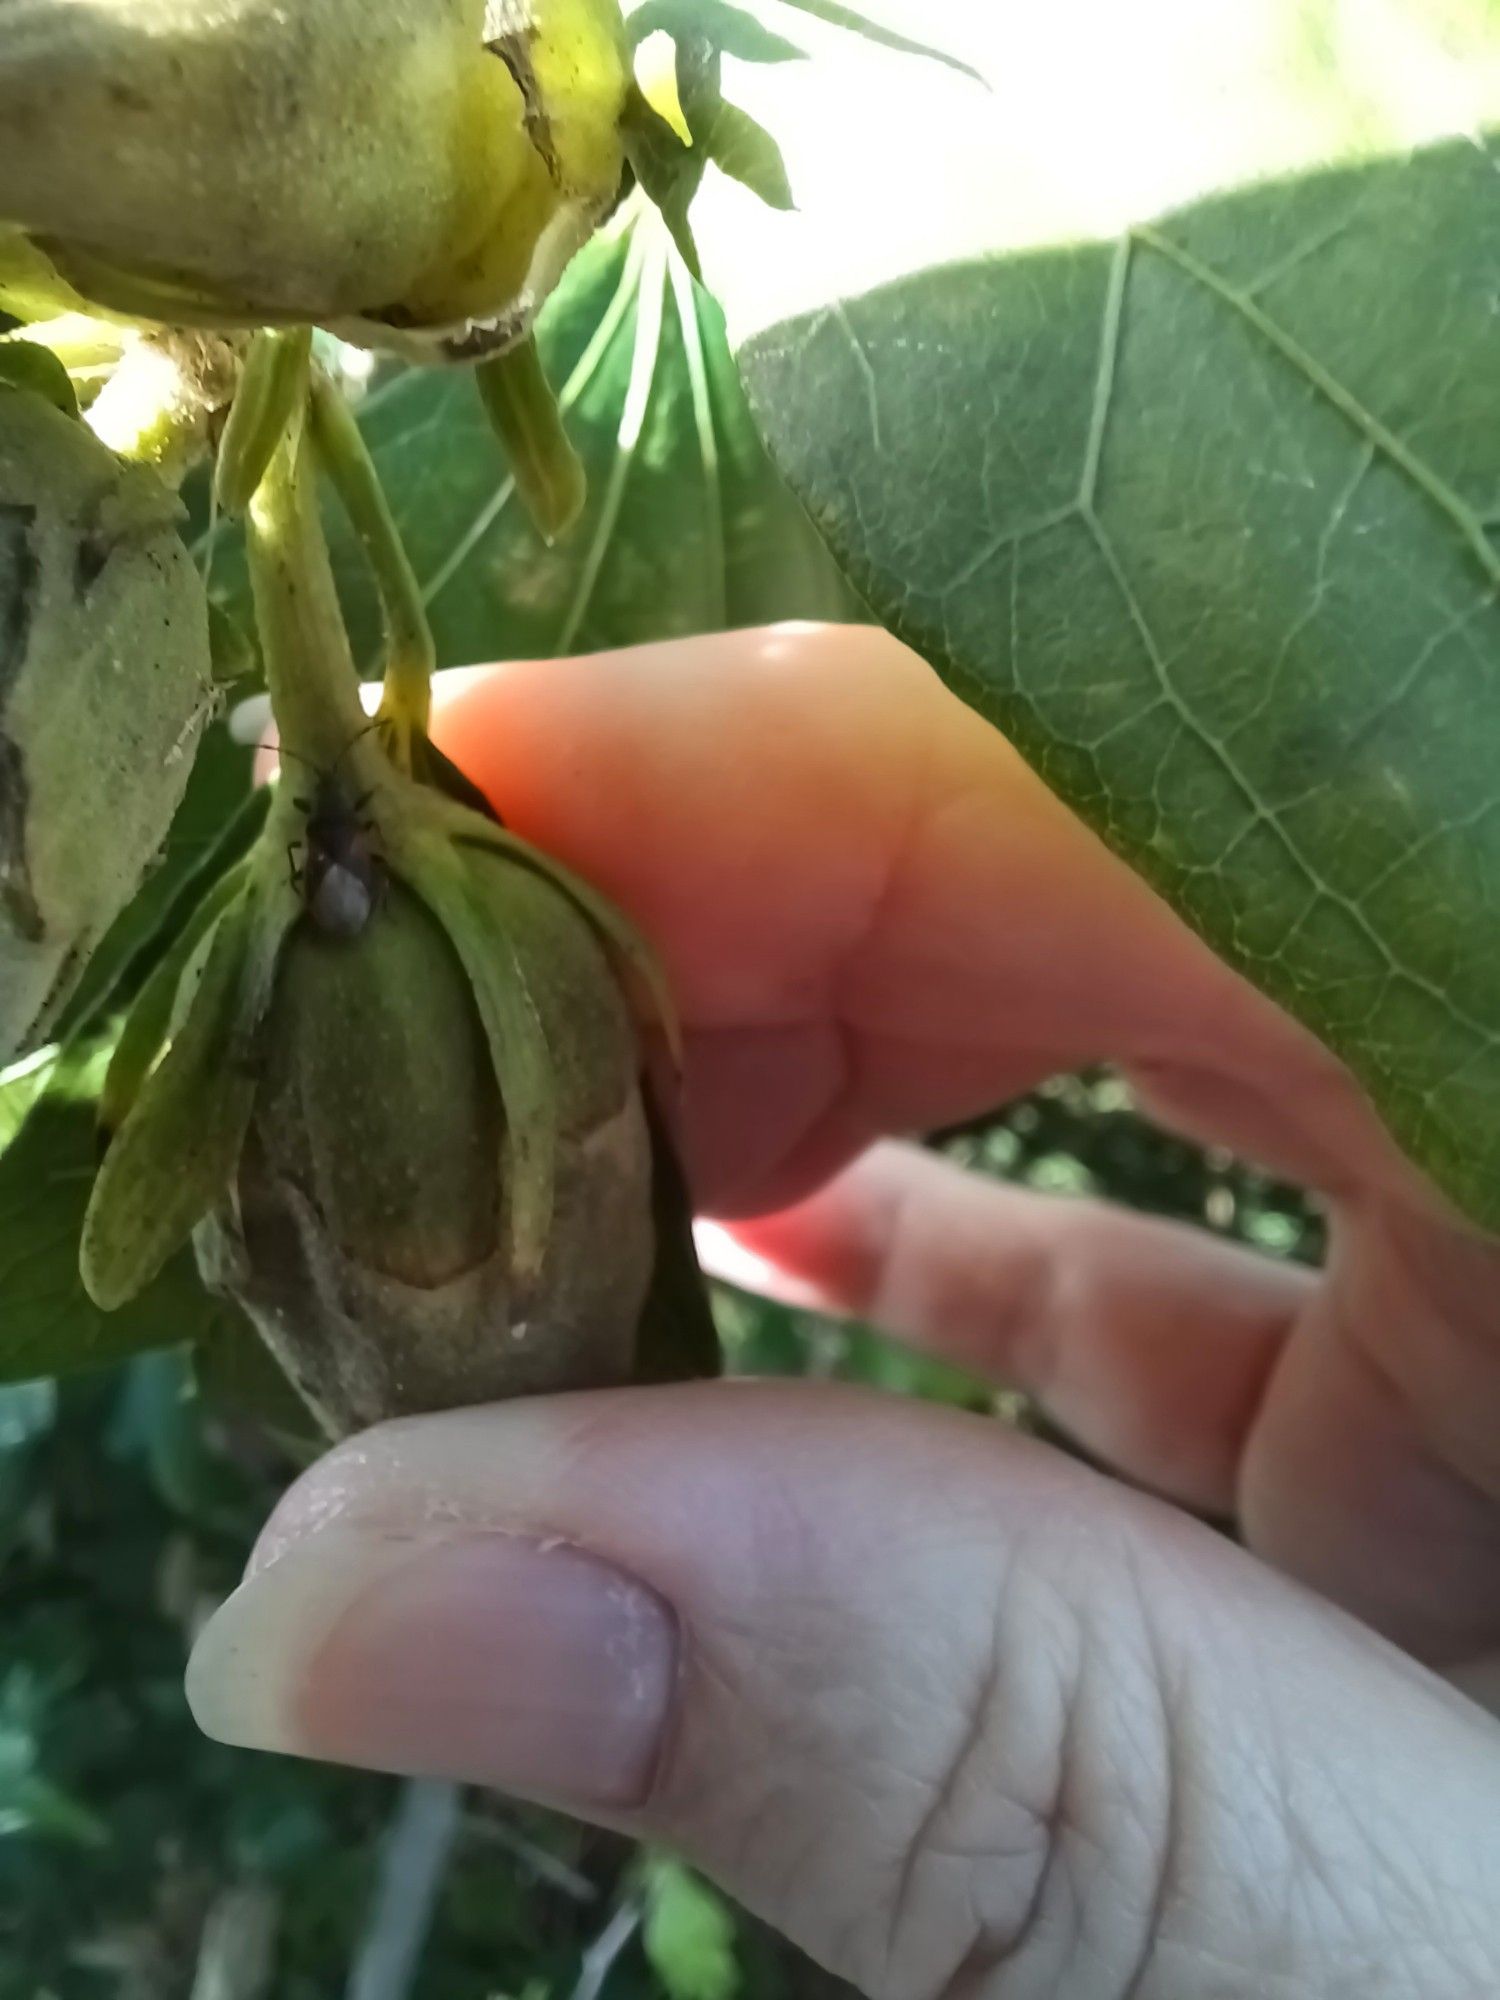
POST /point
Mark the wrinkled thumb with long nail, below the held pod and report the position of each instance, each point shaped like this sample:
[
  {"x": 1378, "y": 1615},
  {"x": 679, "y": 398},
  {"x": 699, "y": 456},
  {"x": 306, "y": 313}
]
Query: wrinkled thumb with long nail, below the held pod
[{"x": 957, "y": 1715}]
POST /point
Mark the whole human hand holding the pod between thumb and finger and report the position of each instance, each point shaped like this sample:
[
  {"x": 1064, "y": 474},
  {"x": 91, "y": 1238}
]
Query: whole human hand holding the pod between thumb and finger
[{"x": 955, "y": 1713}]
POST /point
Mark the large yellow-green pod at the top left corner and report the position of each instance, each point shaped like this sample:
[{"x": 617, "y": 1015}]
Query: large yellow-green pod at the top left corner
[{"x": 403, "y": 171}]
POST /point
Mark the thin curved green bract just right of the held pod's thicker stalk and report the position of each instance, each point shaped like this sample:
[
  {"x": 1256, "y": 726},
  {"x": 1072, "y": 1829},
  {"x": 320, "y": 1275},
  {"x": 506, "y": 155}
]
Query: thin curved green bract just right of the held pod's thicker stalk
[{"x": 411, "y": 653}]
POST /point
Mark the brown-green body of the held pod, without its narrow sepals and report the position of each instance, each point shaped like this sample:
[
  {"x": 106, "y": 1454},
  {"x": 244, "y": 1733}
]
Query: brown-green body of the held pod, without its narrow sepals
[{"x": 371, "y": 1229}]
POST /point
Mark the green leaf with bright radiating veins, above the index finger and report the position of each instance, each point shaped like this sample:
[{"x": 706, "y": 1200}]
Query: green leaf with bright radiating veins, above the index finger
[{"x": 687, "y": 527}]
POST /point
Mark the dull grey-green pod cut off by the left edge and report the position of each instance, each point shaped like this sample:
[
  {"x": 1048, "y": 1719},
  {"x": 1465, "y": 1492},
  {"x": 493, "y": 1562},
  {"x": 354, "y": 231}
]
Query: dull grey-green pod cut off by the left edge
[{"x": 105, "y": 687}]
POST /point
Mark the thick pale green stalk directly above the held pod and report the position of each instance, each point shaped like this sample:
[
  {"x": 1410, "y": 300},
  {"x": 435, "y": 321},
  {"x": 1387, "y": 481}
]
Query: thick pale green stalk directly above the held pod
[{"x": 315, "y": 691}]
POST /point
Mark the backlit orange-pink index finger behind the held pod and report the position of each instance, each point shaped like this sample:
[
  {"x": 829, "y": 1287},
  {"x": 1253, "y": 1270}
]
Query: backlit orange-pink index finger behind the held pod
[{"x": 875, "y": 915}]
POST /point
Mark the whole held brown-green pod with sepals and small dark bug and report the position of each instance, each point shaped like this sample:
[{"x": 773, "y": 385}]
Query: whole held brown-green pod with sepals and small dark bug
[{"x": 413, "y": 1135}]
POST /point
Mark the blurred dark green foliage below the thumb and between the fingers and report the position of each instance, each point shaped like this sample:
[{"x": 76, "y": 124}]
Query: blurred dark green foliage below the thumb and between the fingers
[{"x": 141, "y": 1863}]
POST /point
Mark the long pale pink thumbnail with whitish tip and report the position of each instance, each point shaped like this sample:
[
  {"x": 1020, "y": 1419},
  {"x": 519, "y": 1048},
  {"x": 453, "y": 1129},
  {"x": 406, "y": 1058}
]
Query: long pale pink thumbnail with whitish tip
[{"x": 493, "y": 1659}]
